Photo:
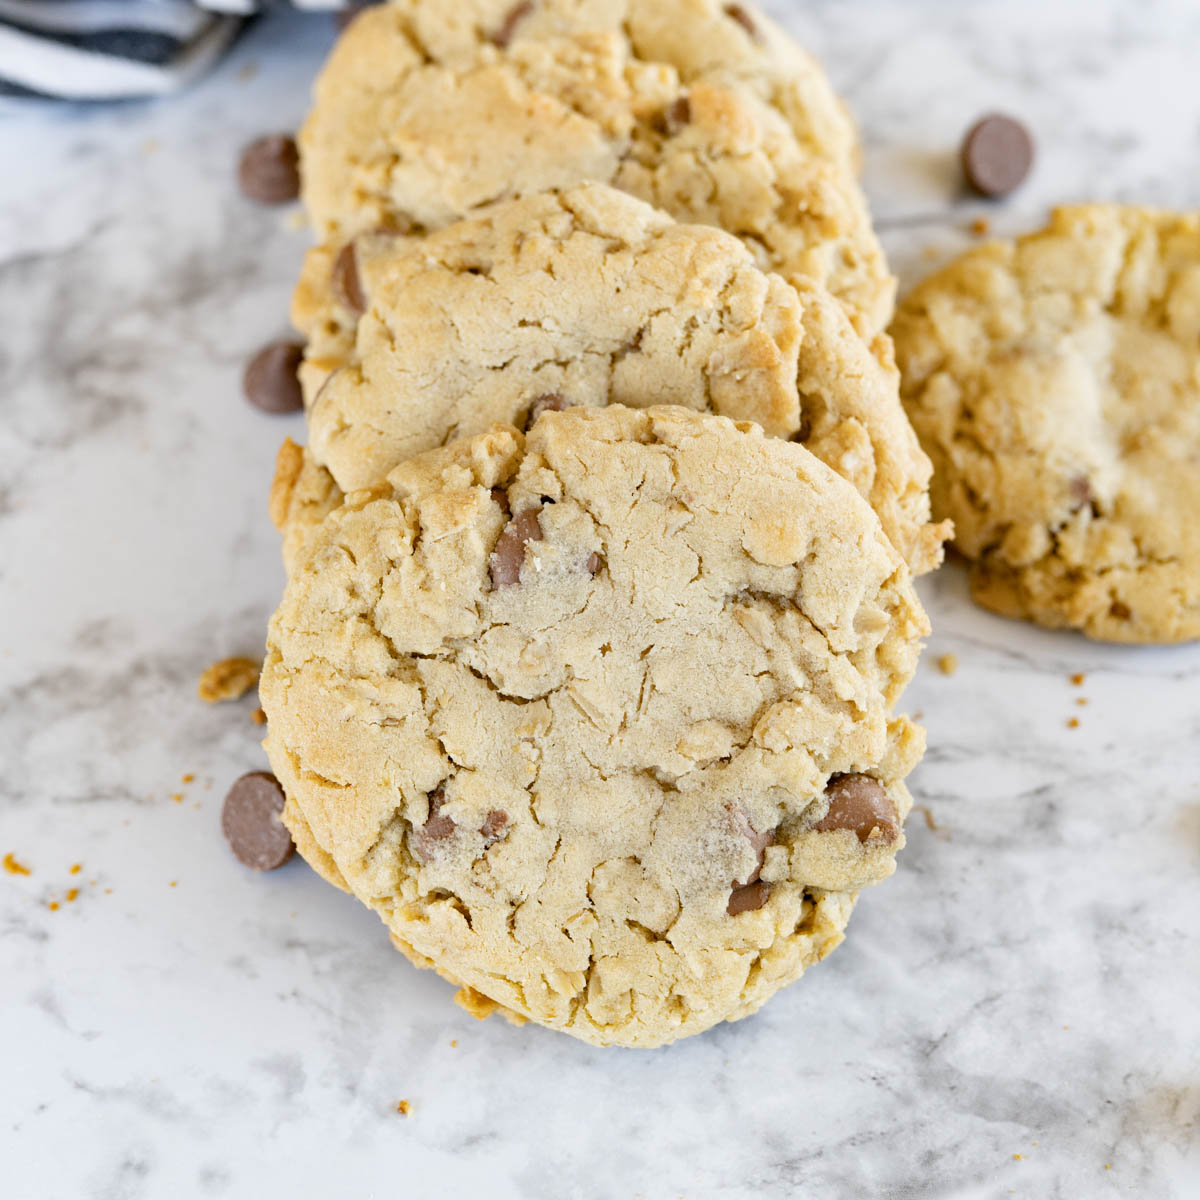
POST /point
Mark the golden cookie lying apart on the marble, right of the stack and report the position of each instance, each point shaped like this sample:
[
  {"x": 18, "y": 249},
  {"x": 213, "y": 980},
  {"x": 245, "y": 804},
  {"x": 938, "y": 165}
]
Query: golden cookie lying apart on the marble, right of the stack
[{"x": 1055, "y": 382}]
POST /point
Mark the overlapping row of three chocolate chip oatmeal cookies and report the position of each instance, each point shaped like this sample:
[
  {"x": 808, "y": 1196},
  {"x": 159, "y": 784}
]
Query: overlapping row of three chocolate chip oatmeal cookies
[{"x": 601, "y": 555}]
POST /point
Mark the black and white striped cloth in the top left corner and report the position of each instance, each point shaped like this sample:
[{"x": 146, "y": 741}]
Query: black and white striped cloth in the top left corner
[{"x": 106, "y": 50}]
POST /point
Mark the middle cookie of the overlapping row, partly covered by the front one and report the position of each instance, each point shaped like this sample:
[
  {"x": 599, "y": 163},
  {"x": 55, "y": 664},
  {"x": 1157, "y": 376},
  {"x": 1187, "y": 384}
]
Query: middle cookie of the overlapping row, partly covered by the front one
[{"x": 590, "y": 297}]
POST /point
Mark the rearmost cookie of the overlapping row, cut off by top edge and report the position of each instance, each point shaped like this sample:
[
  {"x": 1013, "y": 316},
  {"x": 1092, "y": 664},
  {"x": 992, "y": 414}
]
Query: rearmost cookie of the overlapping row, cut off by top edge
[{"x": 425, "y": 112}]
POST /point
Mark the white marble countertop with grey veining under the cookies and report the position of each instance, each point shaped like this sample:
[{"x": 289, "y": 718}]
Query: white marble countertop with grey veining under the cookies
[{"x": 1015, "y": 1013}]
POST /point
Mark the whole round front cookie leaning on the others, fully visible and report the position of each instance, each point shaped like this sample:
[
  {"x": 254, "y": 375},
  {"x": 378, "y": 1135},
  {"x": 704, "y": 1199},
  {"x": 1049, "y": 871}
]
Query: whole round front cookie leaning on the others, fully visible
[{"x": 598, "y": 719}]
